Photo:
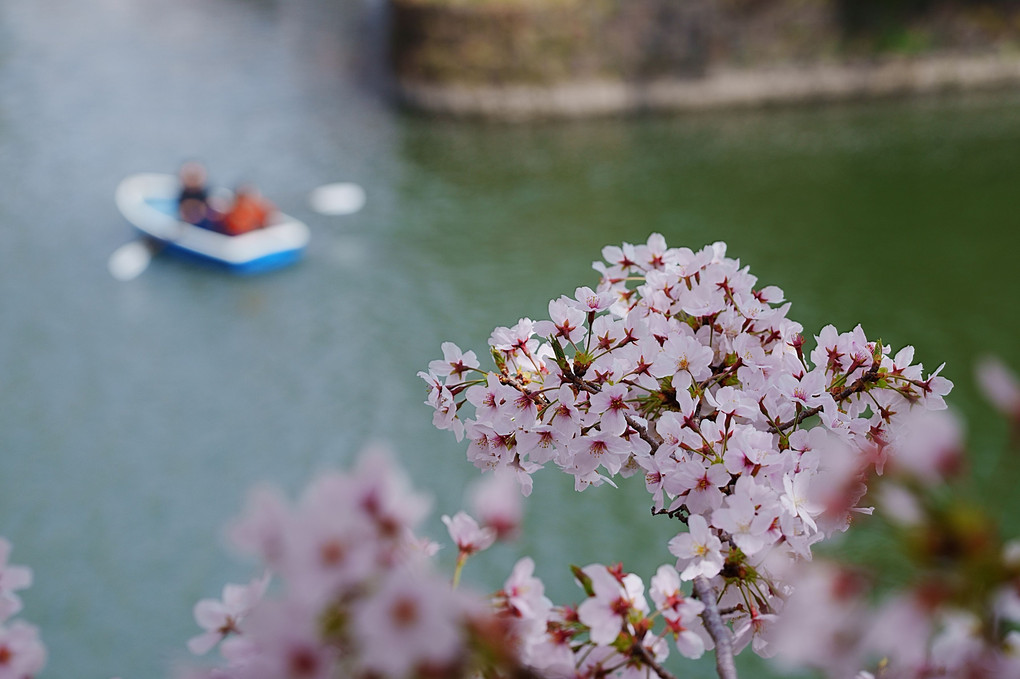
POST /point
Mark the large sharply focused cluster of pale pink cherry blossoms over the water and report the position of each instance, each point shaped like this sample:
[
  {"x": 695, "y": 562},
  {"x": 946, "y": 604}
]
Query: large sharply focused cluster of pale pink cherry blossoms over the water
[{"x": 681, "y": 369}]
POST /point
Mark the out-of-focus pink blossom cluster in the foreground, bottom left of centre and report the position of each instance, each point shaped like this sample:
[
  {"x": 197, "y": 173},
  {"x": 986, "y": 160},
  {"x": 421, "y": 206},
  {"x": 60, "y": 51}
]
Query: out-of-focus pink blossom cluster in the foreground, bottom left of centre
[{"x": 358, "y": 596}]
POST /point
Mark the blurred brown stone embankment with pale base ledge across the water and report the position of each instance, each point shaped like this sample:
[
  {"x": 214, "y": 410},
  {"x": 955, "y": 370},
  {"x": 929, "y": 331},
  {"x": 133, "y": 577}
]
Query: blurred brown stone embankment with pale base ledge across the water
[{"x": 521, "y": 60}]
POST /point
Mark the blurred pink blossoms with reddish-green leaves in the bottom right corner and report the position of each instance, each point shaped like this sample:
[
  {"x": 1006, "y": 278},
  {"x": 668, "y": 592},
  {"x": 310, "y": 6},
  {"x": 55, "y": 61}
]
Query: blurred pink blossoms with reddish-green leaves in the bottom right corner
[{"x": 958, "y": 613}]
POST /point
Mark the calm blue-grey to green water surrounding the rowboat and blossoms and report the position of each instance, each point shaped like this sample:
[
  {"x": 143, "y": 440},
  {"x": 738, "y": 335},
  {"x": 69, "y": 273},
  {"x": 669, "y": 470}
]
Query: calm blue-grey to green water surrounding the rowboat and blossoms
[{"x": 134, "y": 416}]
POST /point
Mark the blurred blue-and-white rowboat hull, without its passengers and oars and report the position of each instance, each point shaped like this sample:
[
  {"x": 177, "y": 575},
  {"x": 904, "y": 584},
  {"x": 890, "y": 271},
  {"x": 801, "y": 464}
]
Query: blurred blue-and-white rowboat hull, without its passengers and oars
[{"x": 149, "y": 202}]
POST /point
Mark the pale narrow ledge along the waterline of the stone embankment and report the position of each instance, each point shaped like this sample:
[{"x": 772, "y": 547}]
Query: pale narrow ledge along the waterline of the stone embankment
[{"x": 725, "y": 88}]
